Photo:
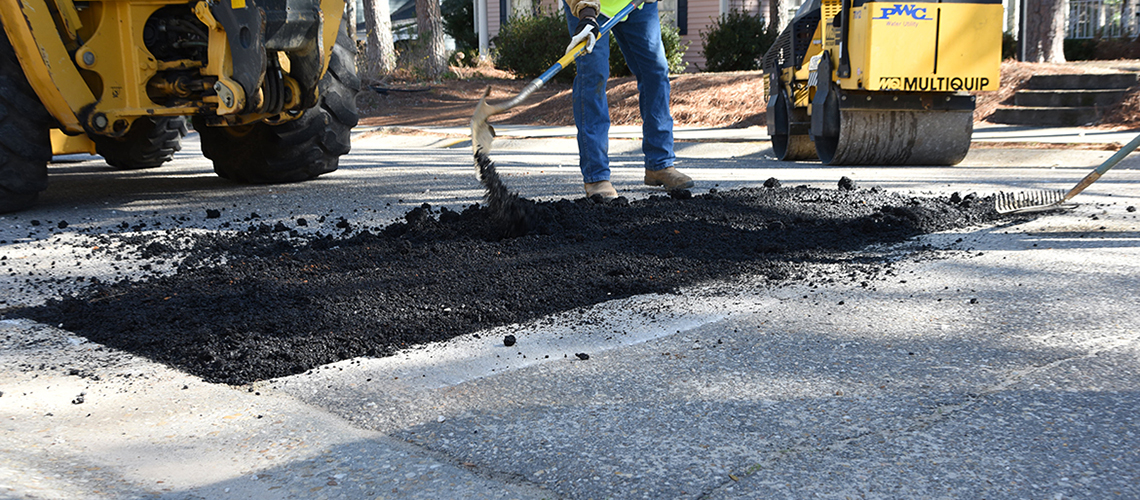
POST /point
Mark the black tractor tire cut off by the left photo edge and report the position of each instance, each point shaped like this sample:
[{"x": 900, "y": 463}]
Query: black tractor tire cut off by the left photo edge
[{"x": 26, "y": 142}]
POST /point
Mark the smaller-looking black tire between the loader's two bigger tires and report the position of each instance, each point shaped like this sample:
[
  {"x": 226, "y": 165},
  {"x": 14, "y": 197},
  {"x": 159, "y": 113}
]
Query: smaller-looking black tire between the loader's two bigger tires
[{"x": 151, "y": 143}]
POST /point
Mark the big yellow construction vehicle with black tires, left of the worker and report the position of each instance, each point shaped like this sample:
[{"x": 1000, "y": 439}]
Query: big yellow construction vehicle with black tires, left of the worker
[{"x": 271, "y": 86}]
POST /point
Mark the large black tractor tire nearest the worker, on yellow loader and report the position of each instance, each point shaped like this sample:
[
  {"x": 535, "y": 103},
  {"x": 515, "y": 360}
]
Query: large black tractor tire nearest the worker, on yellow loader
[{"x": 299, "y": 150}]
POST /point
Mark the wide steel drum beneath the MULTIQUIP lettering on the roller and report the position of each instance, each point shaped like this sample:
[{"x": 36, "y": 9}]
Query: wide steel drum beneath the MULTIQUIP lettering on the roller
[{"x": 894, "y": 137}]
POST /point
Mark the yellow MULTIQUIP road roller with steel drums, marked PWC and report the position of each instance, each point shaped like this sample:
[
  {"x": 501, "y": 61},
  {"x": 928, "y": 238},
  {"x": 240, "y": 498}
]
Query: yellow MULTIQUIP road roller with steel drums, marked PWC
[{"x": 857, "y": 83}]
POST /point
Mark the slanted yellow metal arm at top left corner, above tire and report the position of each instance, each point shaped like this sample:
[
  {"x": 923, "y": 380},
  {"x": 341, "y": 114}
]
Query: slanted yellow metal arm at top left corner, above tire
[{"x": 50, "y": 70}]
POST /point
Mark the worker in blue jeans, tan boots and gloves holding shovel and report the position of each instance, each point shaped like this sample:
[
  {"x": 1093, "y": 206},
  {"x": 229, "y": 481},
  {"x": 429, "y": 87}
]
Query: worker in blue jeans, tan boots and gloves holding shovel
[{"x": 640, "y": 39}]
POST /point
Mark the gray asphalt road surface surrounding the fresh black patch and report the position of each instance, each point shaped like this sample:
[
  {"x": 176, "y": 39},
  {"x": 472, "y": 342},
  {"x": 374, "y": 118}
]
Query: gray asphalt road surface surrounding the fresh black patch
[{"x": 1006, "y": 365}]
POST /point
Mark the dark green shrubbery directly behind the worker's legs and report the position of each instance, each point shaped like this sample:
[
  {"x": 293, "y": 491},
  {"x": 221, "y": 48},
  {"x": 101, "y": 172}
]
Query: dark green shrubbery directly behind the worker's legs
[{"x": 532, "y": 45}]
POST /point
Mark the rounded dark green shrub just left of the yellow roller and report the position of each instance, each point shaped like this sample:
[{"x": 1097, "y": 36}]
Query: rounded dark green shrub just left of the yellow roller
[{"x": 737, "y": 42}]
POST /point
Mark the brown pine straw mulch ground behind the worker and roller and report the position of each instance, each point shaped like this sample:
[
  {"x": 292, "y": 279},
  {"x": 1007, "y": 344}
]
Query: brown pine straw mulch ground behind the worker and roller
[{"x": 699, "y": 100}]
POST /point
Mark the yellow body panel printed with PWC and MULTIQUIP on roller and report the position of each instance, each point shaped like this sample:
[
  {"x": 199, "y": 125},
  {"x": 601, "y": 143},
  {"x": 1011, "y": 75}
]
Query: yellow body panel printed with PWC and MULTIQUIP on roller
[{"x": 925, "y": 47}]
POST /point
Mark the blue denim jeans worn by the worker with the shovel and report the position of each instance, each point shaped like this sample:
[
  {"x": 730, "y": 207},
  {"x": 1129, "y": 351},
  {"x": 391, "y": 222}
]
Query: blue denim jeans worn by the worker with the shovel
[{"x": 640, "y": 39}]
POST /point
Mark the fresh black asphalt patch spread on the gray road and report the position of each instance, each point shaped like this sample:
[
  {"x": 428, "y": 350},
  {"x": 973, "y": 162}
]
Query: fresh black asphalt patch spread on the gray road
[{"x": 257, "y": 305}]
